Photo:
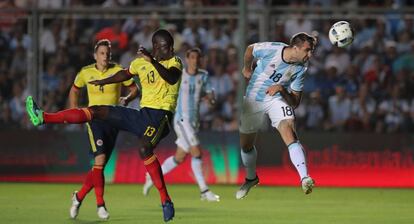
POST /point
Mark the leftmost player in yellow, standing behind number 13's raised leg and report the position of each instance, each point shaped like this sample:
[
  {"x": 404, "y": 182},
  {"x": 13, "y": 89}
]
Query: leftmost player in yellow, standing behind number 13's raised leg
[{"x": 102, "y": 136}]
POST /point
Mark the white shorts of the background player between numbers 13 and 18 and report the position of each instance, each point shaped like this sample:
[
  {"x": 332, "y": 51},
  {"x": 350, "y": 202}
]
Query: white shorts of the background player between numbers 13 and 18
[{"x": 186, "y": 134}]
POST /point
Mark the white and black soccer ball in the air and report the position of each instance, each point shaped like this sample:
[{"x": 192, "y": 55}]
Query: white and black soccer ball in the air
[{"x": 341, "y": 34}]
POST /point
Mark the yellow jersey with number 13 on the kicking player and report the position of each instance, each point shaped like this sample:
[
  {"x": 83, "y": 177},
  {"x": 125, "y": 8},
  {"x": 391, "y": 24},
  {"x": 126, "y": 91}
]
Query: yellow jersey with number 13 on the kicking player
[{"x": 156, "y": 92}]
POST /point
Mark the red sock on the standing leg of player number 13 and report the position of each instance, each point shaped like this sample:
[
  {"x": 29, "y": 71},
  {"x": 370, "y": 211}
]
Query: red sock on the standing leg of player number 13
[{"x": 153, "y": 167}]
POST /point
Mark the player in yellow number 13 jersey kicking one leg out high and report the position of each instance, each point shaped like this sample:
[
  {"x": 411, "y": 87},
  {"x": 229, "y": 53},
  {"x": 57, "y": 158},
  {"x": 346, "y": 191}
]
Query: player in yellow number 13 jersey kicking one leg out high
[{"x": 159, "y": 74}]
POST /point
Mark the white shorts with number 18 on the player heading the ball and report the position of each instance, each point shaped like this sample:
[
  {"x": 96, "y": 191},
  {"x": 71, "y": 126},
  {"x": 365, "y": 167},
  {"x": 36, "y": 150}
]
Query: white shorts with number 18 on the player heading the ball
[{"x": 253, "y": 113}]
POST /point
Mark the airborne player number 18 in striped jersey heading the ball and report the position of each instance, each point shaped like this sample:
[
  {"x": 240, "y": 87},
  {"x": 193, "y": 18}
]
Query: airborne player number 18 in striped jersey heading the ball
[{"x": 275, "y": 89}]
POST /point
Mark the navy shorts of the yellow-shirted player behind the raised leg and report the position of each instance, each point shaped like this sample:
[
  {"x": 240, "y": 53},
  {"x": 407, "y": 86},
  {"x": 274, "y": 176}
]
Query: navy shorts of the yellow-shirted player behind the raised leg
[{"x": 102, "y": 137}]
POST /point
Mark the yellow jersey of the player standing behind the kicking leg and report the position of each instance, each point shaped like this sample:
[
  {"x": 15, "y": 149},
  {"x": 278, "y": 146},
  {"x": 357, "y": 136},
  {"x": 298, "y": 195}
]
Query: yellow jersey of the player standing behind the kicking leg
[{"x": 100, "y": 95}]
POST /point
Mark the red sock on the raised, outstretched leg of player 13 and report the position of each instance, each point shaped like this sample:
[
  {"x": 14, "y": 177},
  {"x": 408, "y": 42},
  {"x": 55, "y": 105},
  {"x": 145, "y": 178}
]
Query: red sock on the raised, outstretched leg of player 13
[{"x": 72, "y": 116}]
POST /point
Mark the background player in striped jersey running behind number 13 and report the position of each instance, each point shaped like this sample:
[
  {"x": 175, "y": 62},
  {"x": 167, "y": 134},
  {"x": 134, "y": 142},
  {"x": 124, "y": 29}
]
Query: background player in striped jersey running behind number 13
[{"x": 194, "y": 84}]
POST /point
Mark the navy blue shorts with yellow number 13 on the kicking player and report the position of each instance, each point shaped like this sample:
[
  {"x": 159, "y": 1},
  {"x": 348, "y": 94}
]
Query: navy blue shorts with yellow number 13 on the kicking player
[{"x": 148, "y": 124}]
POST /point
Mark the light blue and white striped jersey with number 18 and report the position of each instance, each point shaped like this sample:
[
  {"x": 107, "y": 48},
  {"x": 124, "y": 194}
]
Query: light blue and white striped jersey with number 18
[{"x": 272, "y": 69}]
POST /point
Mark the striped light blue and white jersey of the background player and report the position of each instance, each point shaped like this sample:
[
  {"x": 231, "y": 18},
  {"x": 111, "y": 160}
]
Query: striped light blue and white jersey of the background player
[{"x": 192, "y": 88}]
